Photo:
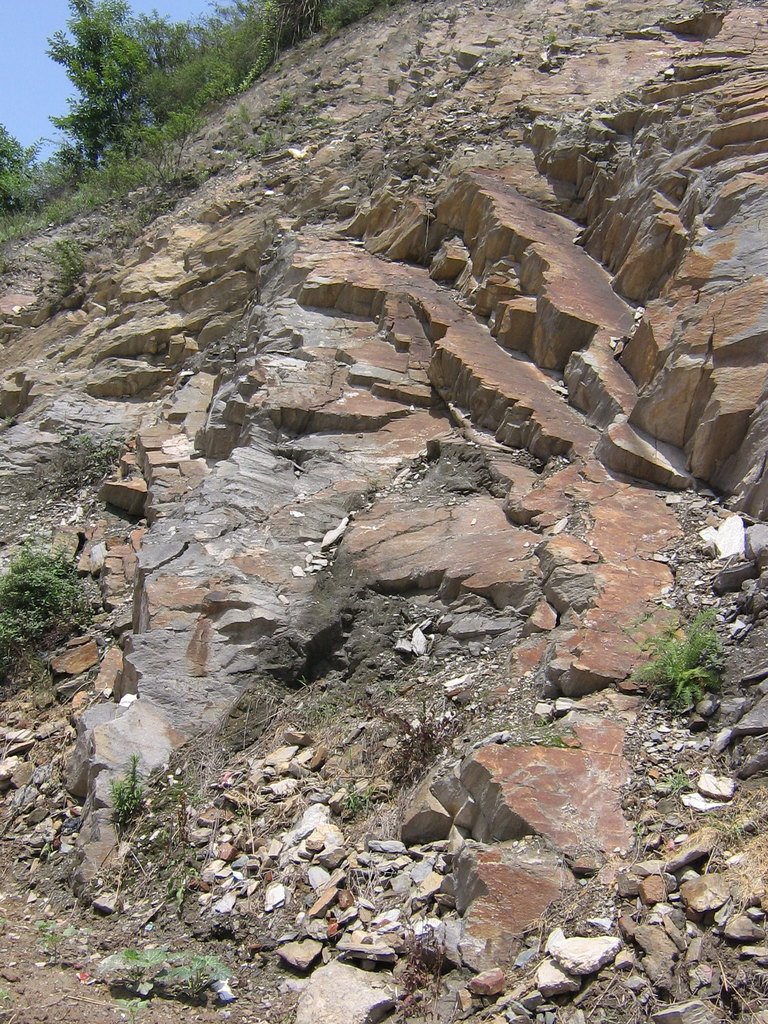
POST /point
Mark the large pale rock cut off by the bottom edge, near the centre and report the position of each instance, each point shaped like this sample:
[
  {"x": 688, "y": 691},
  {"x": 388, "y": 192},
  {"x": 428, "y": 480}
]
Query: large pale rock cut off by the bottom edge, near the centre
[{"x": 338, "y": 994}]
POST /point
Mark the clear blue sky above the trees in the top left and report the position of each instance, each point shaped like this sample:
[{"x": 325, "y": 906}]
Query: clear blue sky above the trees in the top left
[{"x": 32, "y": 87}]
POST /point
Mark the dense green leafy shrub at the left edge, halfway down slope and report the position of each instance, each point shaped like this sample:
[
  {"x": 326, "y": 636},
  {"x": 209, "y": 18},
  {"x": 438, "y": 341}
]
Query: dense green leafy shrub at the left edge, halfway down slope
[{"x": 41, "y": 602}]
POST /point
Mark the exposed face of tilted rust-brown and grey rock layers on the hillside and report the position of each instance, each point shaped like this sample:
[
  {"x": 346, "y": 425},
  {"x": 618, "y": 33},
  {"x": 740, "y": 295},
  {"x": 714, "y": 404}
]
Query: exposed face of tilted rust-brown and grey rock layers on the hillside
[{"x": 456, "y": 347}]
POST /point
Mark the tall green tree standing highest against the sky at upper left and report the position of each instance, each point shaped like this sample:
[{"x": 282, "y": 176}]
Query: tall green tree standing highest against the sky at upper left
[{"x": 105, "y": 62}]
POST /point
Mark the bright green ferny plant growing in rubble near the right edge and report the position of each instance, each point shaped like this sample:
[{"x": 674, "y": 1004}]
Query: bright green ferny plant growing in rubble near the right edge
[{"x": 685, "y": 663}]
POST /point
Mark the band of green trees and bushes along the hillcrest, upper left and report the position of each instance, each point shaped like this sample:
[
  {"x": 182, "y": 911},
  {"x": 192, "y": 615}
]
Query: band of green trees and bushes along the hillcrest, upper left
[{"x": 142, "y": 88}]
